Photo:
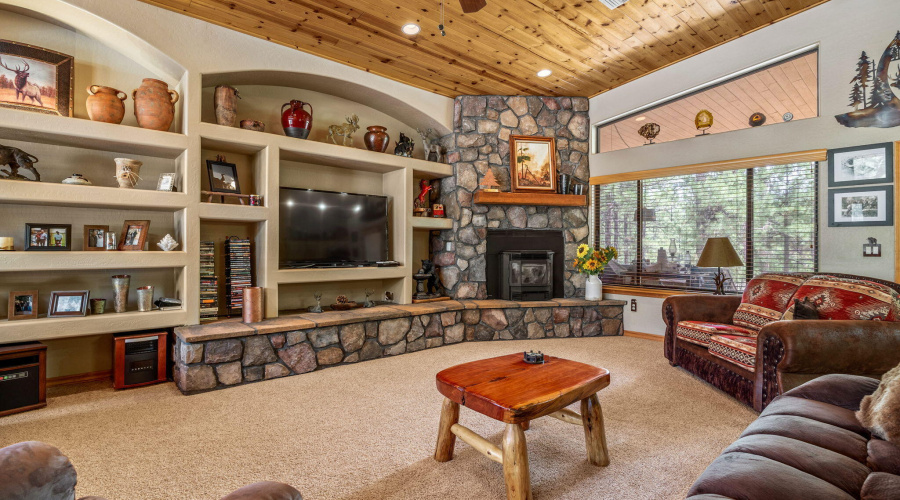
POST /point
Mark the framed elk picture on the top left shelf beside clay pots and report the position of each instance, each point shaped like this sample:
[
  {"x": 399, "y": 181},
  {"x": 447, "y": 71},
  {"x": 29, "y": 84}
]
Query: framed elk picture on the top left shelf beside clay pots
[{"x": 35, "y": 79}]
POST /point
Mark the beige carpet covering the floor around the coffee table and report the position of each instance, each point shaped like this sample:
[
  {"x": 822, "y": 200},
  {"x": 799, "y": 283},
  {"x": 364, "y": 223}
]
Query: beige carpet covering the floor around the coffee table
[{"x": 367, "y": 432}]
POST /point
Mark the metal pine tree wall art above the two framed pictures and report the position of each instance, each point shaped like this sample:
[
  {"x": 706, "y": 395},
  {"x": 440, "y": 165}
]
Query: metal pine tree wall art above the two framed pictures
[{"x": 872, "y": 90}]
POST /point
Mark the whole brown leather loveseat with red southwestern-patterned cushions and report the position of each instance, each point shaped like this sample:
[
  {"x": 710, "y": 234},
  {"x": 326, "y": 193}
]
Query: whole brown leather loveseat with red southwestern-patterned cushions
[{"x": 750, "y": 348}]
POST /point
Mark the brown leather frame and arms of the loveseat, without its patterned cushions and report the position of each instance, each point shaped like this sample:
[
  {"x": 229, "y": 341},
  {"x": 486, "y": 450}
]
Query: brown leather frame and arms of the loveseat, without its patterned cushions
[{"x": 785, "y": 354}]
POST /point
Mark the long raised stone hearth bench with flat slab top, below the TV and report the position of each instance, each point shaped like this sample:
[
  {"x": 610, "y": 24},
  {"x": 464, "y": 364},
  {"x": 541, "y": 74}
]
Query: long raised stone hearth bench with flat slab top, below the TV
[{"x": 231, "y": 353}]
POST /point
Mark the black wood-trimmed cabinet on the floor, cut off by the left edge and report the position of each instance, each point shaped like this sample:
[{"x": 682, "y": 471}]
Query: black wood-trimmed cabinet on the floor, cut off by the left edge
[{"x": 23, "y": 377}]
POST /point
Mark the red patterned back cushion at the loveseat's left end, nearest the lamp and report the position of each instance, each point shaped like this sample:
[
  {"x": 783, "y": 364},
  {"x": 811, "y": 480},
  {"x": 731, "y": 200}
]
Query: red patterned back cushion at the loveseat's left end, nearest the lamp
[{"x": 765, "y": 300}]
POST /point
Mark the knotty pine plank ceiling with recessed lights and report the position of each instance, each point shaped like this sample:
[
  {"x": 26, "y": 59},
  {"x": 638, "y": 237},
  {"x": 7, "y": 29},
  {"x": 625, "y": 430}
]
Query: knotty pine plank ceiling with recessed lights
[{"x": 499, "y": 50}]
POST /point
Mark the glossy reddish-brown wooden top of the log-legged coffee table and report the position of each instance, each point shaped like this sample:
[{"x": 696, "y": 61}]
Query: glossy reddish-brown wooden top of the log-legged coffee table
[{"x": 508, "y": 389}]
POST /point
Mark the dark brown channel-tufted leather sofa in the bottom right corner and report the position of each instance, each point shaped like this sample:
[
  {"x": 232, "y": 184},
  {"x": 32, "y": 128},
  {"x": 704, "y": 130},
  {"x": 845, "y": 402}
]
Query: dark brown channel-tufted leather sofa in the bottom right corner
[{"x": 807, "y": 444}]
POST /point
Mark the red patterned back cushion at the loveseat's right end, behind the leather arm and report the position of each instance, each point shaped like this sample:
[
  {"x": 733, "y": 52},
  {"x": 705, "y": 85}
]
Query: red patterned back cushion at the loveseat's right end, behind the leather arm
[{"x": 848, "y": 299}]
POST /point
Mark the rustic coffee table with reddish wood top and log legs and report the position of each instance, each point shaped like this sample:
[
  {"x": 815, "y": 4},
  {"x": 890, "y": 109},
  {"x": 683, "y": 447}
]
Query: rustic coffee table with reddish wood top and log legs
[{"x": 507, "y": 389}]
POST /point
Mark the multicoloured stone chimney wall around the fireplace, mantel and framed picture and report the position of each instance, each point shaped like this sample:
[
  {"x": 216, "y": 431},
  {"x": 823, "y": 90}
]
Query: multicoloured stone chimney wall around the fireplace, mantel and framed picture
[{"x": 480, "y": 142}]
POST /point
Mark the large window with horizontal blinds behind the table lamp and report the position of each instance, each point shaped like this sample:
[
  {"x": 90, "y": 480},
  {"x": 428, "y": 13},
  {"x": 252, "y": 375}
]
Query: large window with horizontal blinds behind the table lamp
[{"x": 769, "y": 213}]
